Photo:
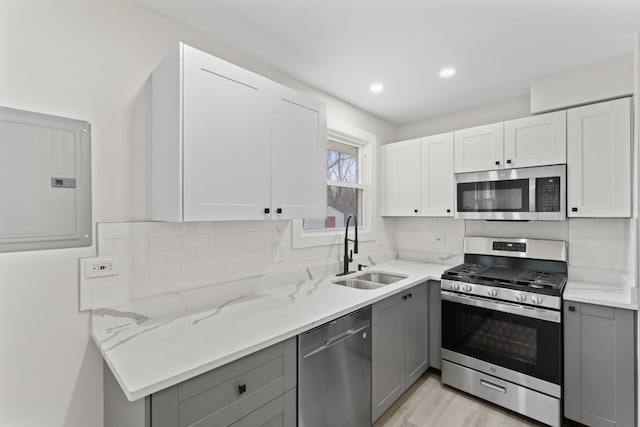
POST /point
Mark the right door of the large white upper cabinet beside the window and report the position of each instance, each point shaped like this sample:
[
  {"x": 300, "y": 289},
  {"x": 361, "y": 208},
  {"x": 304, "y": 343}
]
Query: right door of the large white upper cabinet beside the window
[{"x": 298, "y": 150}]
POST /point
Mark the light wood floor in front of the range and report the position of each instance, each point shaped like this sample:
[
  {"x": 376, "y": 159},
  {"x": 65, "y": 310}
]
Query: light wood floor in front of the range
[{"x": 428, "y": 403}]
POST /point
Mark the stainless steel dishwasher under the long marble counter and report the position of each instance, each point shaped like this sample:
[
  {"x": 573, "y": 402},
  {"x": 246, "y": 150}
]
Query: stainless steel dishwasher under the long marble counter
[{"x": 334, "y": 373}]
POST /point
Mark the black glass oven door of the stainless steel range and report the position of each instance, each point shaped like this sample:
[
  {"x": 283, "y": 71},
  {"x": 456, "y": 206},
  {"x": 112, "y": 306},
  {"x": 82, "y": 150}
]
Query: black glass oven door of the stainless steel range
[{"x": 519, "y": 338}]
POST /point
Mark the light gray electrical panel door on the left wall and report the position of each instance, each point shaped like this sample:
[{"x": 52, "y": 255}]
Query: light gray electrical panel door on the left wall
[{"x": 45, "y": 181}]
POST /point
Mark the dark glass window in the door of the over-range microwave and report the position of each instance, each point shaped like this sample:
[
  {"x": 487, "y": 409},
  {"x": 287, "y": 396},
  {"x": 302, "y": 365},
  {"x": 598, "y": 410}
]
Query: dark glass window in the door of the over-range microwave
[{"x": 494, "y": 196}]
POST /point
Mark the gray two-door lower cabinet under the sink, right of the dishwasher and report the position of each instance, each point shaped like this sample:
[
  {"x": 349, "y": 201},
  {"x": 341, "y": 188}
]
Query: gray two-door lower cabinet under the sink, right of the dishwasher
[{"x": 400, "y": 350}]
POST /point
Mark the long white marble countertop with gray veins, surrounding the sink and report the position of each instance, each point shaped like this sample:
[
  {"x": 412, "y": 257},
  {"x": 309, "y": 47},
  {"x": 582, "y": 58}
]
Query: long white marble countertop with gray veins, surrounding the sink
[{"x": 155, "y": 343}]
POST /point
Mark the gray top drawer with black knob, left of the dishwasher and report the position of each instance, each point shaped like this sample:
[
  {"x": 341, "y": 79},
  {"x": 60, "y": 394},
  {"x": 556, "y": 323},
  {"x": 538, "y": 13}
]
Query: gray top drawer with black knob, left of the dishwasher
[{"x": 227, "y": 394}]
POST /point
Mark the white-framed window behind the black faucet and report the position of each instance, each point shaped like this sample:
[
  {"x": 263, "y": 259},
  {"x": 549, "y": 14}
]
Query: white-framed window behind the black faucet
[{"x": 350, "y": 161}]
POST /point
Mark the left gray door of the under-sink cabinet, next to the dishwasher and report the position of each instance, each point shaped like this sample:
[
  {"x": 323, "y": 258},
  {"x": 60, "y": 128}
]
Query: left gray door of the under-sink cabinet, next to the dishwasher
[{"x": 387, "y": 358}]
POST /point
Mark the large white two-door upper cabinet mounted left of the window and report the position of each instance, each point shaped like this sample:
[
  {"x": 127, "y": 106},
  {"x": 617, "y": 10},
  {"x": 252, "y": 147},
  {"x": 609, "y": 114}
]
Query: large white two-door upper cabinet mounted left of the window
[{"x": 229, "y": 144}]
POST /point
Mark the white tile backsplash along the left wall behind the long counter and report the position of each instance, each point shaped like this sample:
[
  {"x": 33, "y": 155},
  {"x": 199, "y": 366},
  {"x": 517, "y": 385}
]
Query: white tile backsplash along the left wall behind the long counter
[{"x": 229, "y": 257}]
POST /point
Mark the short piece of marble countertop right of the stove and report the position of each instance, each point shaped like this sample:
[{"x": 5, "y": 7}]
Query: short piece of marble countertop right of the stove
[{"x": 602, "y": 294}]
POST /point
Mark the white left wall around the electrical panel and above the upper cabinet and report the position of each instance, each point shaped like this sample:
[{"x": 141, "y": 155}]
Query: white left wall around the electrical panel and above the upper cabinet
[{"x": 88, "y": 60}]
